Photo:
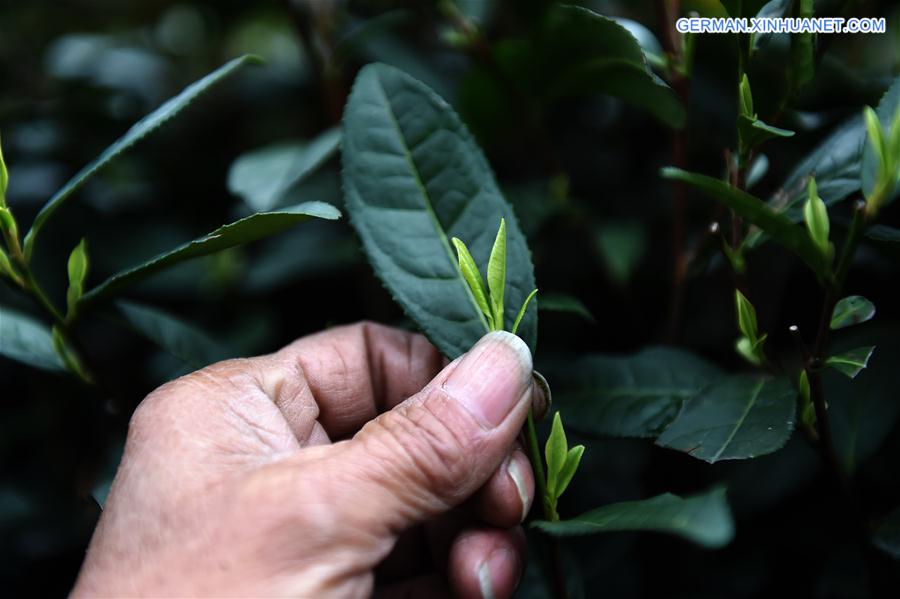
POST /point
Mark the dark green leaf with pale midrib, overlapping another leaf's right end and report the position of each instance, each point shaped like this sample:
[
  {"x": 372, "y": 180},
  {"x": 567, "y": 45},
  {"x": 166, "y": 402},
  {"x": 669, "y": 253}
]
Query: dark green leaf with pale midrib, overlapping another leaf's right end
[{"x": 739, "y": 417}]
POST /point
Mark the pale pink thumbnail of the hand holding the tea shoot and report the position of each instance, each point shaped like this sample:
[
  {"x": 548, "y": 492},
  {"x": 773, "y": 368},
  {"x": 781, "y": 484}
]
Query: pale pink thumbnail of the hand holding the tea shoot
[{"x": 492, "y": 378}]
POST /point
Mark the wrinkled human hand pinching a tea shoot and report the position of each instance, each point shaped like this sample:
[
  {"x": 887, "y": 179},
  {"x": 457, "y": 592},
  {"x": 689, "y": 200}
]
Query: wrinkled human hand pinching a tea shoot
[{"x": 273, "y": 476}]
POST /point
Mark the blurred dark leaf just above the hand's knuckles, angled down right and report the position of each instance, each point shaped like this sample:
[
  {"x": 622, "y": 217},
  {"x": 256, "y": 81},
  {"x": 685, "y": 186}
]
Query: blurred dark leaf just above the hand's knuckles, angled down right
[{"x": 184, "y": 341}]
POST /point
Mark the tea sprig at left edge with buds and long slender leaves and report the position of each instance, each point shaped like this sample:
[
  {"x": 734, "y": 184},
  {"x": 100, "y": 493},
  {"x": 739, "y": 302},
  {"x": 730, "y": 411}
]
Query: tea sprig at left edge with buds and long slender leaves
[{"x": 59, "y": 348}]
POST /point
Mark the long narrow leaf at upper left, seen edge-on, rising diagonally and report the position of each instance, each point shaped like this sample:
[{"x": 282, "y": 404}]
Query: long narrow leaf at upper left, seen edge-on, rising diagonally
[{"x": 138, "y": 131}]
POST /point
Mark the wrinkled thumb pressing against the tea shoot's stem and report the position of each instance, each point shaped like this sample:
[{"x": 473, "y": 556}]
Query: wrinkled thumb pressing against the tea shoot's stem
[{"x": 437, "y": 448}]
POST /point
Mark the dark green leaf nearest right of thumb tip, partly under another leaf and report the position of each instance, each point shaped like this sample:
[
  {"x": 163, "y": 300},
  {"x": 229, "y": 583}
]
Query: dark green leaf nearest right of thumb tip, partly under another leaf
[{"x": 631, "y": 396}]
